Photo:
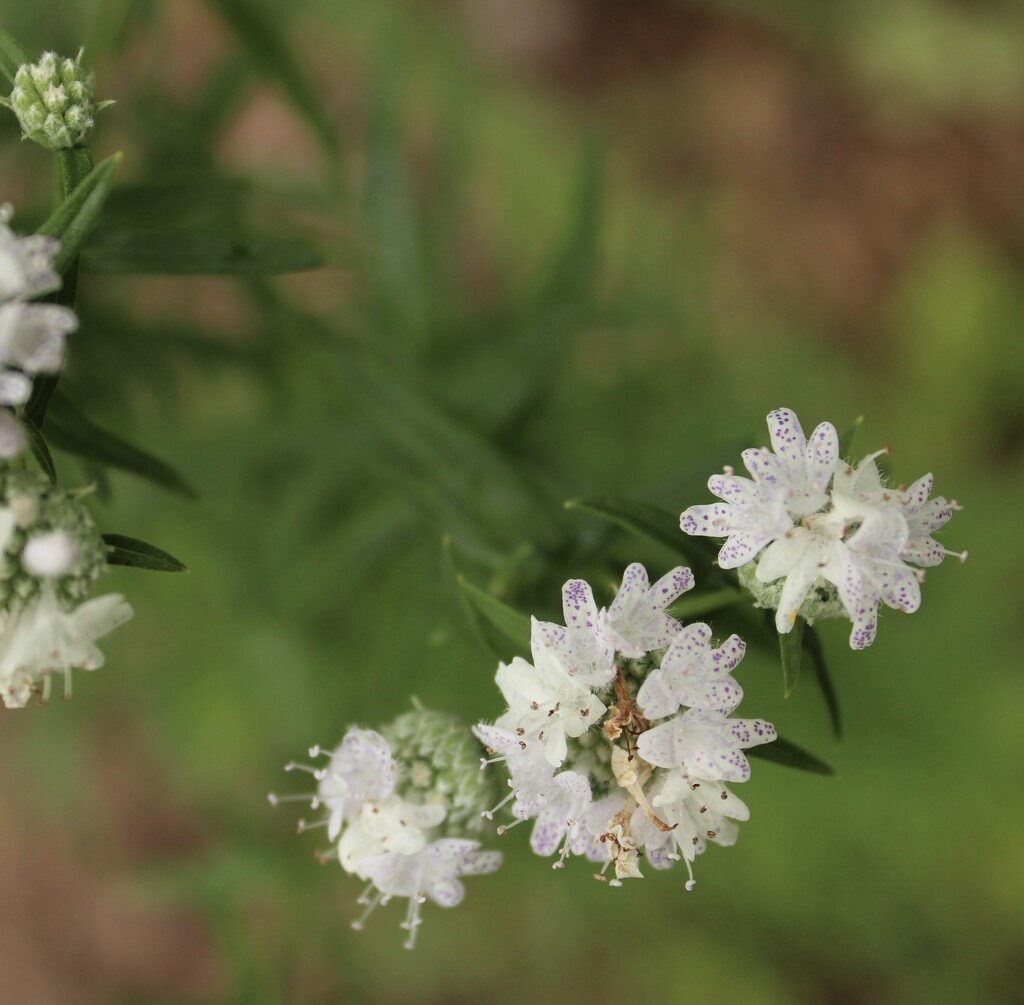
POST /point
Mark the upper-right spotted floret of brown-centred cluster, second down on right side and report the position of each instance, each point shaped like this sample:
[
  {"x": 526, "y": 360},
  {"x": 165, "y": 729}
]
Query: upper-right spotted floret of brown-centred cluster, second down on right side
[{"x": 694, "y": 675}]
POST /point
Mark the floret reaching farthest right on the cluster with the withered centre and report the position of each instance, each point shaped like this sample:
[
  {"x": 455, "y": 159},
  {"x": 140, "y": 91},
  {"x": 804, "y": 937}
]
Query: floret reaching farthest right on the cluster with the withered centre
[{"x": 705, "y": 743}]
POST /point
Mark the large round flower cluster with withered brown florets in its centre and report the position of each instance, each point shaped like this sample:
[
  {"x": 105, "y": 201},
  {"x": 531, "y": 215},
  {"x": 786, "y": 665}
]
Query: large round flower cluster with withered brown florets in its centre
[{"x": 618, "y": 737}]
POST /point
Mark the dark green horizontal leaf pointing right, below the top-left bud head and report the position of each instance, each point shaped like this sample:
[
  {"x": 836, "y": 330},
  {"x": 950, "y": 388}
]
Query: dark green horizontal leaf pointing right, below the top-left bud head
[{"x": 185, "y": 254}]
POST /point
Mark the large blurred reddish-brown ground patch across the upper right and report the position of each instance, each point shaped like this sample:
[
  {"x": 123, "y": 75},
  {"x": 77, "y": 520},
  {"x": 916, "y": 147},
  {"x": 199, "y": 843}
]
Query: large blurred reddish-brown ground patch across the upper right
[{"x": 826, "y": 192}]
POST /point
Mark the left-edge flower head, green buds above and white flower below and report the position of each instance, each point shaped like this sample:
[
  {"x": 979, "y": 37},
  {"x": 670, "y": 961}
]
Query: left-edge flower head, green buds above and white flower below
[{"x": 51, "y": 556}]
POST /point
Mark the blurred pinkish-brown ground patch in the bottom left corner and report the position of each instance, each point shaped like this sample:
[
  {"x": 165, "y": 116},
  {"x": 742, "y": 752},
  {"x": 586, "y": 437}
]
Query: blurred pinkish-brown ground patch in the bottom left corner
[{"x": 73, "y": 930}]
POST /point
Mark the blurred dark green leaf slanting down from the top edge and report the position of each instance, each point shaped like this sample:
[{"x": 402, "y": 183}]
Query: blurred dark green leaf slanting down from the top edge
[{"x": 264, "y": 35}]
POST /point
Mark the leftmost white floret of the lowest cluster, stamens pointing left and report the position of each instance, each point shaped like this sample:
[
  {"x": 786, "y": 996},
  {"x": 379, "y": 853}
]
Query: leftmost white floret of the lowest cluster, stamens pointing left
[{"x": 361, "y": 770}]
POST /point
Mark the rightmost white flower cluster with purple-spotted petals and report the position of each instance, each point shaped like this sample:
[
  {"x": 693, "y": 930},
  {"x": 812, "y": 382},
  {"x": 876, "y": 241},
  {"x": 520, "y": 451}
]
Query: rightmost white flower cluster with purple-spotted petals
[{"x": 815, "y": 536}]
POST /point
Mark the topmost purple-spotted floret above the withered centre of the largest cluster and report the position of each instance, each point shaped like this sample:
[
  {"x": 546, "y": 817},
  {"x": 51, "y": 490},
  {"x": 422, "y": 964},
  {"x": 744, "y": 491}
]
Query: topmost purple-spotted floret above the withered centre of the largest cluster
[{"x": 637, "y": 622}]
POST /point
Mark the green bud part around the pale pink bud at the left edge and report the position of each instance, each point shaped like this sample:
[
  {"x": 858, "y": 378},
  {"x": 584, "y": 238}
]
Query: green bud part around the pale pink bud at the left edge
[{"x": 40, "y": 512}]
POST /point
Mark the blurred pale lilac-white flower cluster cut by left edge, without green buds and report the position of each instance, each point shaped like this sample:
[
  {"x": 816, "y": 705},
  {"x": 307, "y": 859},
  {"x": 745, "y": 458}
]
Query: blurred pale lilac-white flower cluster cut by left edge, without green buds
[{"x": 32, "y": 336}]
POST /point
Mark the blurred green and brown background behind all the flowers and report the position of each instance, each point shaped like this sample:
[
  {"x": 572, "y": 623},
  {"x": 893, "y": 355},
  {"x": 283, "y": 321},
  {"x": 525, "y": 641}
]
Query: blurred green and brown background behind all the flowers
[{"x": 574, "y": 248}]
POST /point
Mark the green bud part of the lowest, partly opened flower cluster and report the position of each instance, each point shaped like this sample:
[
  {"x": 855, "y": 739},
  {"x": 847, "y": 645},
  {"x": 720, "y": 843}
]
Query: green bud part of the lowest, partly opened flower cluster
[{"x": 442, "y": 765}]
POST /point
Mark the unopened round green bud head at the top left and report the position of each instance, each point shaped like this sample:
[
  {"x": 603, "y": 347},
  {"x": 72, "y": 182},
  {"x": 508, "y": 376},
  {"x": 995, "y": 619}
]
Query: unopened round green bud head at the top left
[{"x": 54, "y": 101}]
